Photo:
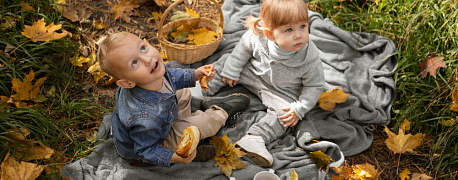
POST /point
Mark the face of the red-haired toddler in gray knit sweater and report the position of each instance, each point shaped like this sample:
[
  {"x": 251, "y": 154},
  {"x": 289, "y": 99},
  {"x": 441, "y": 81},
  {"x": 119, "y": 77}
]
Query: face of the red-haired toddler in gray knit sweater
[{"x": 291, "y": 37}]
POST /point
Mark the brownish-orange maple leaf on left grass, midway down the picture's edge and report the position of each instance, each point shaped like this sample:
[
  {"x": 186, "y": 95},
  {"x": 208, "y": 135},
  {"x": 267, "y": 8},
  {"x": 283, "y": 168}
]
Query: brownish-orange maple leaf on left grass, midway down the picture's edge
[{"x": 24, "y": 89}]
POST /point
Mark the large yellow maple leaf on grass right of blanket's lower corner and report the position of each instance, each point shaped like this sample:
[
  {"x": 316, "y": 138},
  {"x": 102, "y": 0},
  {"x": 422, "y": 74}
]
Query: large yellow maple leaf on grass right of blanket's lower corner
[{"x": 401, "y": 143}]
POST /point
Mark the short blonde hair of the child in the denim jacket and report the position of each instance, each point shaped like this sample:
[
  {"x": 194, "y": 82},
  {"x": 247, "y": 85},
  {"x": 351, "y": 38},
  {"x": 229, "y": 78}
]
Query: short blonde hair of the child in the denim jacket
[{"x": 106, "y": 45}]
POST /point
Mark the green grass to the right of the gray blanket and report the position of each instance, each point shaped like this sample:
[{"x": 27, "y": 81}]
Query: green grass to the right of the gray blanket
[{"x": 418, "y": 28}]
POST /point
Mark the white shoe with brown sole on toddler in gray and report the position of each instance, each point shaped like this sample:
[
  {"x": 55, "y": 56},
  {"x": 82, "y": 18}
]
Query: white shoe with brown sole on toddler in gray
[{"x": 256, "y": 149}]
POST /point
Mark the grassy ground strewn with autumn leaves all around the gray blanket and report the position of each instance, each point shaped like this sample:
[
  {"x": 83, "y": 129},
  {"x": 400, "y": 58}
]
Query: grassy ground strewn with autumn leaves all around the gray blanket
[{"x": 54, "y": 95}]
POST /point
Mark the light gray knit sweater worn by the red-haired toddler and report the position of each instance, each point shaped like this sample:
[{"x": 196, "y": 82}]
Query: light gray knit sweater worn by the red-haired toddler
[{"x": 298, "y": 75}]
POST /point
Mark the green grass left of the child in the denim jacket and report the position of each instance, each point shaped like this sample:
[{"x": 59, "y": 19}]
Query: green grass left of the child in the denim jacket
[{"x": 62, "y": 120}]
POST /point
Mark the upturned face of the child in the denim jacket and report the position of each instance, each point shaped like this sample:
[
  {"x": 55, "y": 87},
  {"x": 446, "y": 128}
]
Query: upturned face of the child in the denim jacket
[{"x": 138, "y": 62}]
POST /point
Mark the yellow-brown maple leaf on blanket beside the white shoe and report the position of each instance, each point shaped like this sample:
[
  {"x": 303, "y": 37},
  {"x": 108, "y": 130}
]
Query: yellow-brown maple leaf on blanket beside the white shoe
[{"x": 227, "y": 155}]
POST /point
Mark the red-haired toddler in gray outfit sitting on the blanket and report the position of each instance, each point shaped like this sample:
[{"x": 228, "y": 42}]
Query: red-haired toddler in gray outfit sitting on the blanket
[{"x": 276, "y": 61}]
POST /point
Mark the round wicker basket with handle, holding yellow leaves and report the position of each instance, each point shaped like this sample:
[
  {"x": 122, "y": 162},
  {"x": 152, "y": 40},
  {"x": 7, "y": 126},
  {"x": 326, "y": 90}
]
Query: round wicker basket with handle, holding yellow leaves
[{"x": 187, "y": 54}]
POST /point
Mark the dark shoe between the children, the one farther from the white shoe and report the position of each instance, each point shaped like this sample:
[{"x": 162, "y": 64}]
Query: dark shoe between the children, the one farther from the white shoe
[{"x": 232, "y": 103}]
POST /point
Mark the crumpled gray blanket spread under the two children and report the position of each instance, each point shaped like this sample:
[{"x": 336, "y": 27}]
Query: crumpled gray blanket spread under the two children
[{"x": 362, "y": 63}]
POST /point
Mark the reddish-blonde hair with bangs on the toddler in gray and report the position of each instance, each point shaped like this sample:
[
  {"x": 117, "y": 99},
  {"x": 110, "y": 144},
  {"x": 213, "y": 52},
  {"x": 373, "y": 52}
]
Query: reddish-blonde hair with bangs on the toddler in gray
[{"x": 275, "y": 13}]
